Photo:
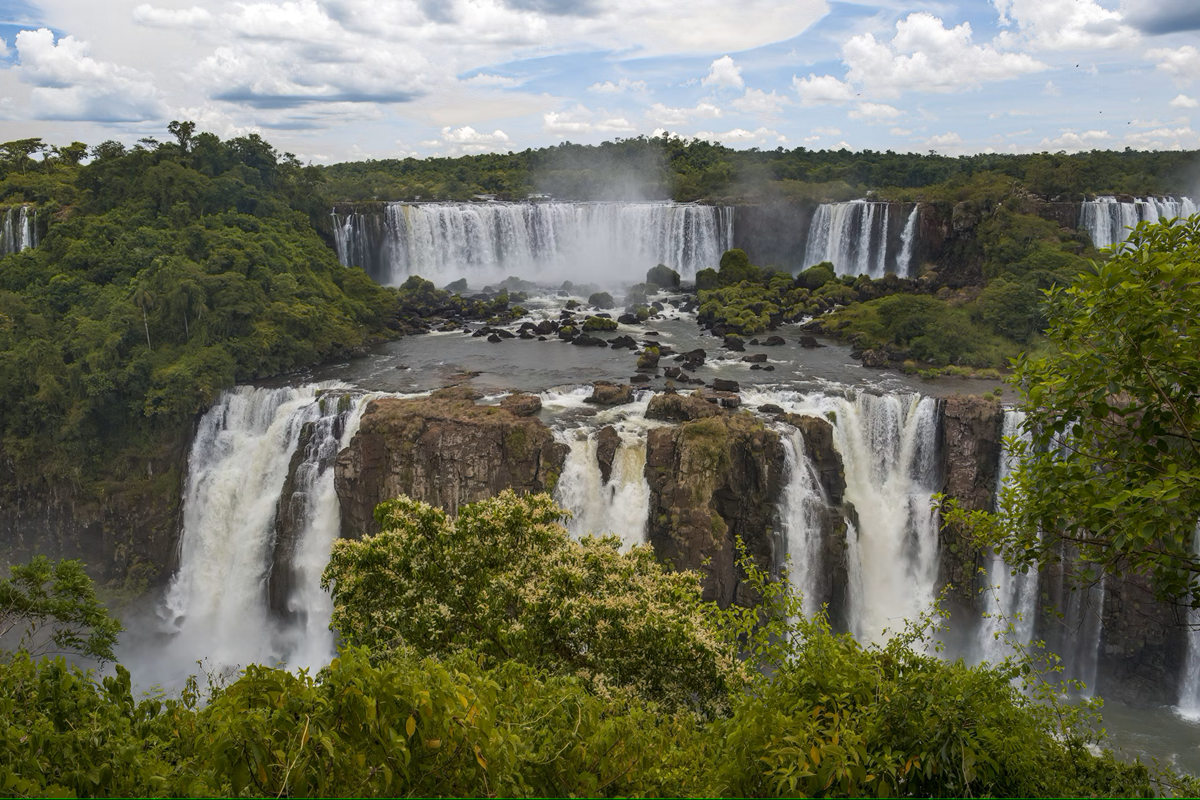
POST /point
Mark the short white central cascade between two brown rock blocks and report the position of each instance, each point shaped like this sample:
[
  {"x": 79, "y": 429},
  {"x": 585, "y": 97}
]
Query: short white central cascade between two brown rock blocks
[{"x": 622, "y": 506}]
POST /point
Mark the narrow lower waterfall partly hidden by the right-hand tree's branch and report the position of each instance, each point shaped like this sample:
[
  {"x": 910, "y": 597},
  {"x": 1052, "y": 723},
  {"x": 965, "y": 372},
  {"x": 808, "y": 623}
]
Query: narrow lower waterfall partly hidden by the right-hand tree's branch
[{"x": 1011, "y": 598}]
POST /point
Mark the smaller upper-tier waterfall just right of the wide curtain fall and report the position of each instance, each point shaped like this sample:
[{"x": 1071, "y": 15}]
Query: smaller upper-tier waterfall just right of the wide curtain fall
[{"x": 855, "y": 238}]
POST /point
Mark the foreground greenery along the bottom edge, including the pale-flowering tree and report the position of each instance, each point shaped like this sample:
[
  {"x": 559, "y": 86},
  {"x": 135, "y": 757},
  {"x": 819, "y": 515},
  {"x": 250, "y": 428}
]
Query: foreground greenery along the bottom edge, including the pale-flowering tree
[{"x": 512, "y": 660}]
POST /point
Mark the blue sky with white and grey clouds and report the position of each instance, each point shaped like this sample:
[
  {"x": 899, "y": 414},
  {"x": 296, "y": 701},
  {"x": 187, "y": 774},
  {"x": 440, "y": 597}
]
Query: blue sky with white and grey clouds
[{"x": 349, "y": 80}]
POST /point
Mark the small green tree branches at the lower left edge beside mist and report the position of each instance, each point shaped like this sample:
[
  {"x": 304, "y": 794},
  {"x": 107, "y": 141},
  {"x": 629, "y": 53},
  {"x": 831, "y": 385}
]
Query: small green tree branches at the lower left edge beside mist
[{"x": 53, "y": 609}]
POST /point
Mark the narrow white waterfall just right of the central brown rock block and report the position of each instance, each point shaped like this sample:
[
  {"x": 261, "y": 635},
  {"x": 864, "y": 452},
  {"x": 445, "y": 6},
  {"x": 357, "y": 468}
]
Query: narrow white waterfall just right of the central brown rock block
[{"x": 801, "y": 514}]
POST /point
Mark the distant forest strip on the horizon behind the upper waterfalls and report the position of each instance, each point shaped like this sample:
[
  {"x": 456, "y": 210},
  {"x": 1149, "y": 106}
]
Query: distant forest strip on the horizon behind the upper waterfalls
[{"x": 682, "y": 170}]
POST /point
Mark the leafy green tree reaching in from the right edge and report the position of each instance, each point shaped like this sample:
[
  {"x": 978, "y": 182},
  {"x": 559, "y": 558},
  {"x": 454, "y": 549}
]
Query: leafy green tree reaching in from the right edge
[{"x": 1112, "y": 472}]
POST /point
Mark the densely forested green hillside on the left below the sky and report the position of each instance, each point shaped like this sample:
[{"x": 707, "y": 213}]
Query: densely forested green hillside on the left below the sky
[{"x": 167, "y": 274}]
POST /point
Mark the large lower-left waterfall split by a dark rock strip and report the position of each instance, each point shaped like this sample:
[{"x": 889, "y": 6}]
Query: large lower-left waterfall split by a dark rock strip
[{"x": 218, "y": 604}]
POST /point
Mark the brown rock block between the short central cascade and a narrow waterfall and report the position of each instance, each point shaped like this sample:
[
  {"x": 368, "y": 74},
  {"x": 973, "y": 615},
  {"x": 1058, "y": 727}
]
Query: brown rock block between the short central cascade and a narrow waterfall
[{"x": 713, "y": 480}]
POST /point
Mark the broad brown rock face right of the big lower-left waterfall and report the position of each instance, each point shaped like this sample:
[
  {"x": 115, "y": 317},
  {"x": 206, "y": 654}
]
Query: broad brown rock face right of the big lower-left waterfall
[{"x": 443, "y": 450}]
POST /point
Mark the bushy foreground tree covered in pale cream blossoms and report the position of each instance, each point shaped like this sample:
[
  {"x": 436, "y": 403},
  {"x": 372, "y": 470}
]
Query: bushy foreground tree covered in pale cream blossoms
[{"x": 505, "y": 579}]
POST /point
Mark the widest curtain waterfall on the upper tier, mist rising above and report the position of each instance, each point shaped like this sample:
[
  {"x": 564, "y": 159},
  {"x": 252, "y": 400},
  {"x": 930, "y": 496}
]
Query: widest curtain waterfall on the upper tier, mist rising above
[{"x": 488, "y": 242}]
